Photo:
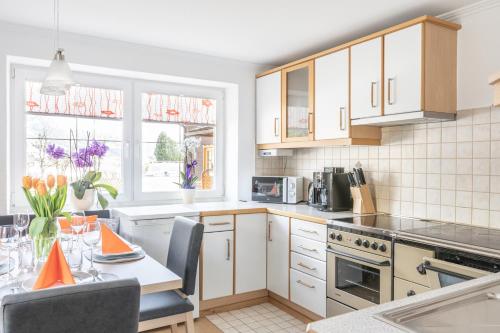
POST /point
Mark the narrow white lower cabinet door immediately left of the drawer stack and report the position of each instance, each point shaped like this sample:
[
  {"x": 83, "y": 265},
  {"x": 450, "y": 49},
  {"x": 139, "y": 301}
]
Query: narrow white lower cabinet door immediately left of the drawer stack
[{"x": 277, "y": 254}]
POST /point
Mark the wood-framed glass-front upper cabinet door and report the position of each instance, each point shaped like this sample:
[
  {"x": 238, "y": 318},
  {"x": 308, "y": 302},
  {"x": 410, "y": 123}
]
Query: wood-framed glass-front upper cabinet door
[{"x": 298, "y": 102}]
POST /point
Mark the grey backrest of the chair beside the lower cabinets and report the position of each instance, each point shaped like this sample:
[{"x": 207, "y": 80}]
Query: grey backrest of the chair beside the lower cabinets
[{"x": 184, "y": 250}]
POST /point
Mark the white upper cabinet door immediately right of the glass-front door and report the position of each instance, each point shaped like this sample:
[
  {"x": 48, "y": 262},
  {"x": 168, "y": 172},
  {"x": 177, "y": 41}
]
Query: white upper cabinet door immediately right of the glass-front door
[{"x": 331, "y": 96}]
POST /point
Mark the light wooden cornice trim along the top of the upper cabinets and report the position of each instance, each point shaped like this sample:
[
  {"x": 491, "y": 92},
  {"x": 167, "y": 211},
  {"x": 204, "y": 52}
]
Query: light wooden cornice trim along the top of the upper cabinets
[{"x": 403, "y": 25}]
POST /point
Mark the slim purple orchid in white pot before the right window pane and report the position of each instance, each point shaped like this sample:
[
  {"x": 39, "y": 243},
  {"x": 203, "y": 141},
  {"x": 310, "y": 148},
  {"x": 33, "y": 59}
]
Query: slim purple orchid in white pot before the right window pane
[{"x": 188, "y": 176}]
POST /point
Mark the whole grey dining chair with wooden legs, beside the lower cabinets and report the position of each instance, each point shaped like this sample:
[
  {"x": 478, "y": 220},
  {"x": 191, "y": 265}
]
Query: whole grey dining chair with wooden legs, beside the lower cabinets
[{"x": 170, "y": 308}]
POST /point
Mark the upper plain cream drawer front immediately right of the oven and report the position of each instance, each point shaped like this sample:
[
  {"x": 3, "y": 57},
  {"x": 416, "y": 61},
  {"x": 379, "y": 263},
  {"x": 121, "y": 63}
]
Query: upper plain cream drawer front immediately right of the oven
[{"x": 406, "y": 260}]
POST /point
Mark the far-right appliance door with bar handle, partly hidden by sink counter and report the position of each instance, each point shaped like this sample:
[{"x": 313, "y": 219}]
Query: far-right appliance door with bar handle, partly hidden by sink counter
[{"x": 441, "y": 273}]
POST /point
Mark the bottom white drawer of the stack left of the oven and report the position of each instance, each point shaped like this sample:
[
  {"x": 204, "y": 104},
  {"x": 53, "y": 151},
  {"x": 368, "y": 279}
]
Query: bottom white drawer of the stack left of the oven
[{"x": 308, "y": 292}]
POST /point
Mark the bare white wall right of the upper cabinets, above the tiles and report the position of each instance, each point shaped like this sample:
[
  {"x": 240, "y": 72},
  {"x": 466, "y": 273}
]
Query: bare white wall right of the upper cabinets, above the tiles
[{"x": 478, "y": 52}]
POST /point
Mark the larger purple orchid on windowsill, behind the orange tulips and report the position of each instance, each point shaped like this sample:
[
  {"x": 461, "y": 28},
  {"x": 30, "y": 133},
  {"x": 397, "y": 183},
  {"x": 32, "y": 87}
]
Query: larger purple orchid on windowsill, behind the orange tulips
[{"x": 85, "y": 167}]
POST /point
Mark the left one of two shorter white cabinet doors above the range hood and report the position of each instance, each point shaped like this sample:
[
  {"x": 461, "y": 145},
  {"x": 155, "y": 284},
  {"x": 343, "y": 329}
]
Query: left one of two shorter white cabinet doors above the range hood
[{"x": 366, "y": 79}]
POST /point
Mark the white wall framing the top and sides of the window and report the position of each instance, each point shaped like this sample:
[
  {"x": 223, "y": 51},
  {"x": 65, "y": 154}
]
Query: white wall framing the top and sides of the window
[{"x": 24, "y": 41}]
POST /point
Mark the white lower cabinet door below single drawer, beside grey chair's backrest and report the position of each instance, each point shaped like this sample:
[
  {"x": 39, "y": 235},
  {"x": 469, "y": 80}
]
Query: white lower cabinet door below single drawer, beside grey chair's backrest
[{"x": 217, "y": 264}]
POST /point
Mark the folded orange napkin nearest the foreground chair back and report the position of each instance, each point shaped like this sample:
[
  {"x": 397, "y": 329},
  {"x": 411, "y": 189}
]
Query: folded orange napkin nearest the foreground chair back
[{"x": 55, "y": 271}]
